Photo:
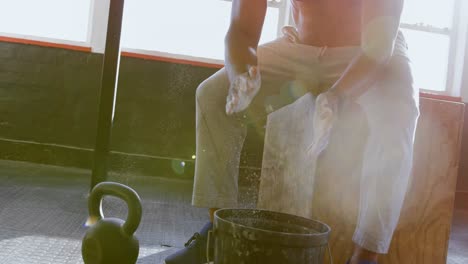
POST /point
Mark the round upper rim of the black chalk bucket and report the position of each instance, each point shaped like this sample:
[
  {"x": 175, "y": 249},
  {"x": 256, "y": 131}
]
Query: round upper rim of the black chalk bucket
[{"x": 321, "y": 237}]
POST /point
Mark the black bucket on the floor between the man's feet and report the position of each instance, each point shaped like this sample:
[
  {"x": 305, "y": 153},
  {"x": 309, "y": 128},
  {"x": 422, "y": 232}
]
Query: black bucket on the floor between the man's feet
[{"x": 245, "y": 236}]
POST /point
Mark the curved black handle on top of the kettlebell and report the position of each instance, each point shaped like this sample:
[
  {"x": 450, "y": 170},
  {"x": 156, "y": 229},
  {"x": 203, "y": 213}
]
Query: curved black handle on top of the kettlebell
[{"x": 123, "y": 192}]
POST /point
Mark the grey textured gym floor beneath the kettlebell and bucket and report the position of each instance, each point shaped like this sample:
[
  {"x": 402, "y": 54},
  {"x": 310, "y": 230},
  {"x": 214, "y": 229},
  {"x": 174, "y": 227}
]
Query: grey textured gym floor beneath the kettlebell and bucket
[{"x": 43, "y": 208}]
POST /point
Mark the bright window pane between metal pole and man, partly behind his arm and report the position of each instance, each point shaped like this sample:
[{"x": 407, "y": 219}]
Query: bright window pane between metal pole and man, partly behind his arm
[{"x": 197, "y": 29}]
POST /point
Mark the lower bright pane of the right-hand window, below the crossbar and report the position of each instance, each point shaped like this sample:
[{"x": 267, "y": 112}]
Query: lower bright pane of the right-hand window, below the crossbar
[{"x": 429, "y": 55}]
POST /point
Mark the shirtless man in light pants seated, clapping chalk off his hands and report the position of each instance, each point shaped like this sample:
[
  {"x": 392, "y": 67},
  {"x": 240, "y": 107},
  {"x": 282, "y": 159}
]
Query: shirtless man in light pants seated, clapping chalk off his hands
[{"x": 346, "y": 50}]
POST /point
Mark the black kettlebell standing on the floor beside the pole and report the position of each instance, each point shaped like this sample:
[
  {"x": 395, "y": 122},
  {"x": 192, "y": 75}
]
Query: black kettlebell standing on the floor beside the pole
[{"x": 111, "y": 240}]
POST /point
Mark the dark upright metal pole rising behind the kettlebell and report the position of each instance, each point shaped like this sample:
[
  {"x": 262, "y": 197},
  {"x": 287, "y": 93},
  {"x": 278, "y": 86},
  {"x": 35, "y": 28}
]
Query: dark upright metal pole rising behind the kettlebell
[{"x": 109, "y": 81}]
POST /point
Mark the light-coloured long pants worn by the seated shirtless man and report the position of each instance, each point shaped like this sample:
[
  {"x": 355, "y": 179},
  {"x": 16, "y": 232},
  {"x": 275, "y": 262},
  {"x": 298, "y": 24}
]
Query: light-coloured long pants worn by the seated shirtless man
[{"x": 390, "y": 107}]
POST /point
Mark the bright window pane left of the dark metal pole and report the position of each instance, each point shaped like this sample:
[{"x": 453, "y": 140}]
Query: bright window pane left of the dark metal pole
[{"x": 57, "y": 19}]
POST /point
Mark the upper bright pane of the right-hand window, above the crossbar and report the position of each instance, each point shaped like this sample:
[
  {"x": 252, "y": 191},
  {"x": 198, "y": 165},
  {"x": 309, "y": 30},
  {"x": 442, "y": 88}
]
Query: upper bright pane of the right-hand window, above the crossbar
[{"x": 437, "y": 13}]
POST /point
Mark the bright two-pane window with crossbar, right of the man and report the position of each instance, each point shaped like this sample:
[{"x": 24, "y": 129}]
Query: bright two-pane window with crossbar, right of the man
[{"x": 429, "y": 31}]
